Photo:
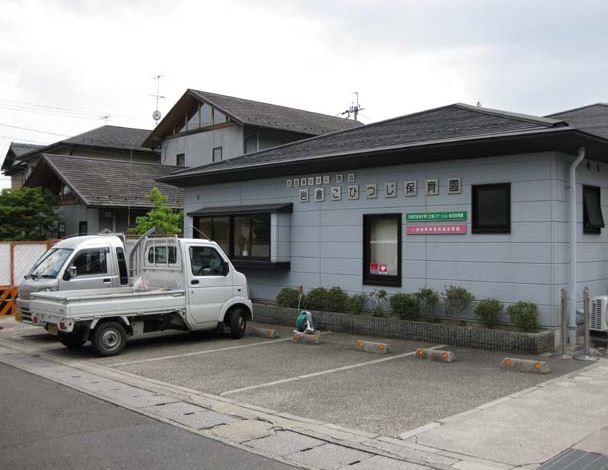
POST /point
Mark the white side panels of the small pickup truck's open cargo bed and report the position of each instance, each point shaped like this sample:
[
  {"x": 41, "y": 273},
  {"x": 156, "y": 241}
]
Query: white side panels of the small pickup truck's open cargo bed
[{"x": 99, "y": 303}]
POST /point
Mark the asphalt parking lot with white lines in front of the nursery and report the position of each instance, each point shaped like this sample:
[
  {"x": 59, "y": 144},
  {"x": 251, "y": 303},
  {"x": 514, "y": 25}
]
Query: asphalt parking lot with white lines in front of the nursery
[{"x": 331, "y": 382}]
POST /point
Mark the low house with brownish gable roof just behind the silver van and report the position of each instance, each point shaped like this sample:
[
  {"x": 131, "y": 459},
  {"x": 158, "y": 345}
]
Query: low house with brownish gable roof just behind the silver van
[{"x": 97, "y": 194}]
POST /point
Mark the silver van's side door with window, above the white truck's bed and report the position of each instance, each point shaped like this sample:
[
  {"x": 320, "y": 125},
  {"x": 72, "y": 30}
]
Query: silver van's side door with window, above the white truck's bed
[{"x": 94, "y": 270}]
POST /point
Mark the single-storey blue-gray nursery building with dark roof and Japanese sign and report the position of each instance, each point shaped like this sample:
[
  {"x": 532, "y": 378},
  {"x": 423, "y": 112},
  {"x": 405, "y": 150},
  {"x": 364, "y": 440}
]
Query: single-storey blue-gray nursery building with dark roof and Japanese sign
[{"x": 457, "y": 195}]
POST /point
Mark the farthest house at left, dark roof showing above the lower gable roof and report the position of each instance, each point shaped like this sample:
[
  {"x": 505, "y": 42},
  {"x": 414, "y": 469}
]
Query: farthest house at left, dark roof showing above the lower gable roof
[{"x": 113, "y": 142}]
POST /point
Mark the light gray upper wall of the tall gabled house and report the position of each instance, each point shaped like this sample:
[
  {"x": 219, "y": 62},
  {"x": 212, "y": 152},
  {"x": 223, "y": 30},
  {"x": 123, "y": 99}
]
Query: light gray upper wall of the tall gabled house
[{"x": 198, "y": 147}]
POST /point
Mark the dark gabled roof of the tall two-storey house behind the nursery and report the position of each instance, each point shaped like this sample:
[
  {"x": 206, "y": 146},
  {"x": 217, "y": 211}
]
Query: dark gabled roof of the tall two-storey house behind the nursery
[{"x": 253, "y": 113}]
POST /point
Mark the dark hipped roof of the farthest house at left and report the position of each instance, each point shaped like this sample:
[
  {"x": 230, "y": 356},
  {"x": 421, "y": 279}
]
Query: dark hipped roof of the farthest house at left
[{"x": 109, "y": 137}]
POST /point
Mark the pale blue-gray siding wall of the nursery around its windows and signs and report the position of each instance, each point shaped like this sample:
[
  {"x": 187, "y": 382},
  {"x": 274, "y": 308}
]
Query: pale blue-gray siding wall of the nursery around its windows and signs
[{"x": 529, "y": 264}]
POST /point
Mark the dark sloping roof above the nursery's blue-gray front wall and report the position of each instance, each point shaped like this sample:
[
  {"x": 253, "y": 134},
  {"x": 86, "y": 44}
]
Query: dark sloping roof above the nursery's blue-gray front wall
[{"x": 447, "y": 124}]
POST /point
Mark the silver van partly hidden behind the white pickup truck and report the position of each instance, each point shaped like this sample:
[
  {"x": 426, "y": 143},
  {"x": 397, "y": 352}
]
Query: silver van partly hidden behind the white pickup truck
[{"x": 84, "y": 262}]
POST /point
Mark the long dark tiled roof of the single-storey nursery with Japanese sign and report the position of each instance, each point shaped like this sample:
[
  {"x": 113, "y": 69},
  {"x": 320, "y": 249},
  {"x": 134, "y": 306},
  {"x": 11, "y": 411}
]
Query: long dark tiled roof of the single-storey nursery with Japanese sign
[{"x": 447, "y": 126}]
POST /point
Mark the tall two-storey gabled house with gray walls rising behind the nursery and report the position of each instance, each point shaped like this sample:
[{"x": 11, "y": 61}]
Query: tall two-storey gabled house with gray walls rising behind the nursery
[{"x": 206, "y": 127}]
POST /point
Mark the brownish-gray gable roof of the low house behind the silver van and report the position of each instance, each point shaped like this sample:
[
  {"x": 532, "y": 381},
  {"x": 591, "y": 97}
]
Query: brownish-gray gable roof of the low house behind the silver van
[{"x": 107, "y": 183}]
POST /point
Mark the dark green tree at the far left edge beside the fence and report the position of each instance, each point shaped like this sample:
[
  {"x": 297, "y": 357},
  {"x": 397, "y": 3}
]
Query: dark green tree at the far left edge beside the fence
[{"x": 28, "y": 214}]
